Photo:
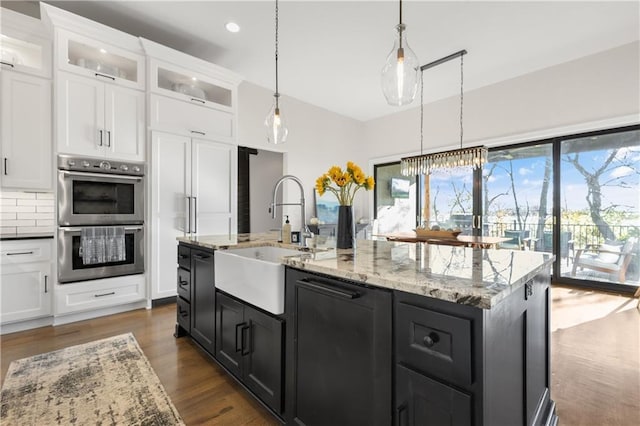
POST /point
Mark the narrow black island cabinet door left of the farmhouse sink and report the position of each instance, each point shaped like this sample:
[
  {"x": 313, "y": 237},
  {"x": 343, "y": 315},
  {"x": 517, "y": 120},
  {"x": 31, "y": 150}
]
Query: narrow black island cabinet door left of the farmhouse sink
[{"x": 203, "y": 299}]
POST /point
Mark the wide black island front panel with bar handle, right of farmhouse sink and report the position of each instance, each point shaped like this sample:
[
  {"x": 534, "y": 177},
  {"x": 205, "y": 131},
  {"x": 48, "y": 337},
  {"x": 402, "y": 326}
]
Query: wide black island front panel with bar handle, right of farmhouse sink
[{"x": 338, "y": 352}]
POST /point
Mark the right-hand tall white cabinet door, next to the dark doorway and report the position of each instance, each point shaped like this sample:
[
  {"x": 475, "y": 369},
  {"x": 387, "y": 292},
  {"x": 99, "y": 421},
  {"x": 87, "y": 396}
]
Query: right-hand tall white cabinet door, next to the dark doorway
[{"x": 214, "y": 187}]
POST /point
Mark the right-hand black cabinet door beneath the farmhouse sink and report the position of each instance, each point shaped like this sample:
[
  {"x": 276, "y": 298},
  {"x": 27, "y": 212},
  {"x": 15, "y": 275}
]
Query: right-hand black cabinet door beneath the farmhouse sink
[{"x": 262, "y": 357}]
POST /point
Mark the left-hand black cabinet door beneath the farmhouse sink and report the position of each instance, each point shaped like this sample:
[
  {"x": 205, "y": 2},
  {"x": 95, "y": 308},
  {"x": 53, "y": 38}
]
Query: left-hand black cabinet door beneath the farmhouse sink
[{"x": 230, "y": 330}]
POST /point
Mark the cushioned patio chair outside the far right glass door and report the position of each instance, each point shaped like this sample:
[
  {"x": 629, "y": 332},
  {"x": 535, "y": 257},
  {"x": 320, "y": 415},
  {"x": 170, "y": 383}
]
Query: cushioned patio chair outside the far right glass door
[{"x": 611, "y": 259}]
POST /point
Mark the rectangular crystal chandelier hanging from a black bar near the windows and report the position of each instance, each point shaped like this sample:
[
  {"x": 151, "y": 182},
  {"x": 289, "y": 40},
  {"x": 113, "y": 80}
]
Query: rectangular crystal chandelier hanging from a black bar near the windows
[{"x": 424, "y": 164}]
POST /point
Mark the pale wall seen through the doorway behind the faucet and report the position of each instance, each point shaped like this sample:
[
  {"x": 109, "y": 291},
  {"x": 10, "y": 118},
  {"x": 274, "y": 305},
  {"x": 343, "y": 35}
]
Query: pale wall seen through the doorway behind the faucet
[{"x": 264, "y": 169}]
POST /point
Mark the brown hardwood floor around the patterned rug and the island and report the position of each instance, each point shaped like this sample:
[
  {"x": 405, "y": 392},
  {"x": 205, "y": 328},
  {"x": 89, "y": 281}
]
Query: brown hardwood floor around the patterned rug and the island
[{"x": 595, "y": 360}]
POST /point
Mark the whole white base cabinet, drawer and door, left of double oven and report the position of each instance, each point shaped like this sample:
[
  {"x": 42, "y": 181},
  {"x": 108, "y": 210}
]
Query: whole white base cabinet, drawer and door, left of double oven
[{"x": 26, "y": 288}]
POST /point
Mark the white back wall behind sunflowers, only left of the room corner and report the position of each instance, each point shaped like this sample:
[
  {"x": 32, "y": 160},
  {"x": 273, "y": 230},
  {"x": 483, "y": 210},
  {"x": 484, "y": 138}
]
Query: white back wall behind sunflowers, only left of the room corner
[{"x": 317, "y": 140}]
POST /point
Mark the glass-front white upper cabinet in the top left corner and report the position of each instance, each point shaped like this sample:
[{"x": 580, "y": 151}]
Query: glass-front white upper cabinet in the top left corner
[{"x": 25, "y": 45}]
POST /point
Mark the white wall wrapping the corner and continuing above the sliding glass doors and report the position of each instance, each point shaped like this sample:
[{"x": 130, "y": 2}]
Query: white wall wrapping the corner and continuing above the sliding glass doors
[{"x": 571, "y": 97}]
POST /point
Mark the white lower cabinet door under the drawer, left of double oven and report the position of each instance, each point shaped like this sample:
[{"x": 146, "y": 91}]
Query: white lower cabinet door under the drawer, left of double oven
[{"x": 25, "y": 291}]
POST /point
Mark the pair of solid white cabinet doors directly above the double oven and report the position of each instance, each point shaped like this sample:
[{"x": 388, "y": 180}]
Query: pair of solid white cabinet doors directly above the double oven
[{"x": 99, "y": 119}]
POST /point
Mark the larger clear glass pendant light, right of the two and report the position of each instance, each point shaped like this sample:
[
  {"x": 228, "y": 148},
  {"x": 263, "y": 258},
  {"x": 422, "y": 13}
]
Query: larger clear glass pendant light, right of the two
[{"x": 400, "y": 71}]
